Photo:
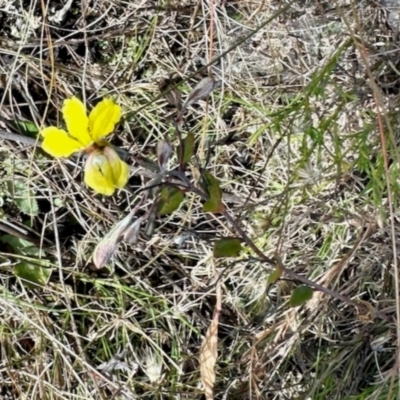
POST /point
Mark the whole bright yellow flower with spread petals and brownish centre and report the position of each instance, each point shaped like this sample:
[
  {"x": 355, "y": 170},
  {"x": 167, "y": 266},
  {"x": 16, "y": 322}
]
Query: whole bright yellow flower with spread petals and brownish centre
[{"x": 104, "y": 170}]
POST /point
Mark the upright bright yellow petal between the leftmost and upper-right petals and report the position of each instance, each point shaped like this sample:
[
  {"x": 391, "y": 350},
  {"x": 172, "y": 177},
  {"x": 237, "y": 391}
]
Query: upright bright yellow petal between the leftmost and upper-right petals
[{"x": 74, "y": 113}]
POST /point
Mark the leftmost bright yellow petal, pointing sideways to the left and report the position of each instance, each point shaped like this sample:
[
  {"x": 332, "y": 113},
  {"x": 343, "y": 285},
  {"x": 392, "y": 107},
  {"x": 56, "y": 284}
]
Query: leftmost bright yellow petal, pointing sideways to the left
[{"x": 57, "y": 142}]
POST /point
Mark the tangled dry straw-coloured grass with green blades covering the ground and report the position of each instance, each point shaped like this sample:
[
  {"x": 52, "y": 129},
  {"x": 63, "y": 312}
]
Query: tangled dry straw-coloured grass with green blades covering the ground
[{"x": 308, "y": 157}]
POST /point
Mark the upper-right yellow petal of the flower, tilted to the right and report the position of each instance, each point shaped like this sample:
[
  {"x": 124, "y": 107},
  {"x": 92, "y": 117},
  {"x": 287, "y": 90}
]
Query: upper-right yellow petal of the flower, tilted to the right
[{"x": 103, "y": 118}]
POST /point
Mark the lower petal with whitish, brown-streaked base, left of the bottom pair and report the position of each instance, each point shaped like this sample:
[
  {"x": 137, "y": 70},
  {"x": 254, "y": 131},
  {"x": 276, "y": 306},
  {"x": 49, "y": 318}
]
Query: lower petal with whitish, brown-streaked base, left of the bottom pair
[{"x": 98, "y": 174}]
